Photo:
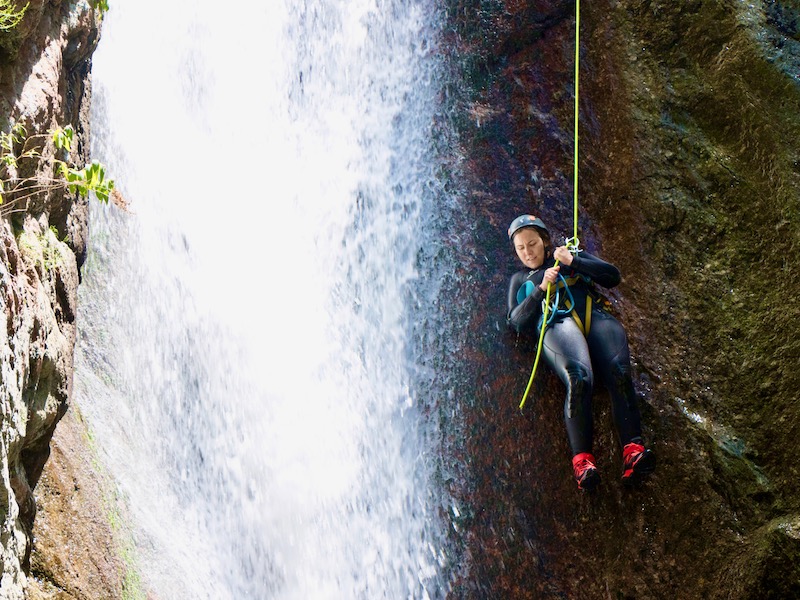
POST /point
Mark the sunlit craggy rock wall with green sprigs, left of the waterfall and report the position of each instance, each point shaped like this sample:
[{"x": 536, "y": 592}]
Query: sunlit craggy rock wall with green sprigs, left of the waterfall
[{"x": 43, "y": 85}]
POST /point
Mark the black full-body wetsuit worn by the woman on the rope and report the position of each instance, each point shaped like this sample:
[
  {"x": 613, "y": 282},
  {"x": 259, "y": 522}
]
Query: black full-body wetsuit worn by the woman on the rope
[{"x": 571, "y": 354}]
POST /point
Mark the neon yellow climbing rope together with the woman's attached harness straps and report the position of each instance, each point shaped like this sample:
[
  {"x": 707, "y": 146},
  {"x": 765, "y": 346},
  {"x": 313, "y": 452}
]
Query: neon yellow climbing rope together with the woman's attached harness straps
[{"x": 572, "y": 243}]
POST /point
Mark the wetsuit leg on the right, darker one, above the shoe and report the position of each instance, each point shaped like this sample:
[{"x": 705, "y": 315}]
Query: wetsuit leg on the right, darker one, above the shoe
[{"x": 608, "y": 345}]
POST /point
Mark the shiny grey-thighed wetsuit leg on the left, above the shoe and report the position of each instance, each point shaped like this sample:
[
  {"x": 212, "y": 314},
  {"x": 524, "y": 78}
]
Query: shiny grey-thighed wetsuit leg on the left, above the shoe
[{"x": 566, "y": 352}]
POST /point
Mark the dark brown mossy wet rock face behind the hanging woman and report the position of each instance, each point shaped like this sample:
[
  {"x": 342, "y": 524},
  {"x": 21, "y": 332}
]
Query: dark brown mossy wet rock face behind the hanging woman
[{"x": 688, "y": 183}]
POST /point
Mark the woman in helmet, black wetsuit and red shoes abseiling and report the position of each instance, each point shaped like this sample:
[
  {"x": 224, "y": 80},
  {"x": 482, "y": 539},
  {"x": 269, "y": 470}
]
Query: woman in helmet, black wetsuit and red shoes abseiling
[{"x": 582, "y": 339}]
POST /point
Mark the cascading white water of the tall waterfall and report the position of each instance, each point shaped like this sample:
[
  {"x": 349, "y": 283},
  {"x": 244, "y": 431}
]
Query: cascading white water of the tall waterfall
[{"x": 245, "y": 356}]
